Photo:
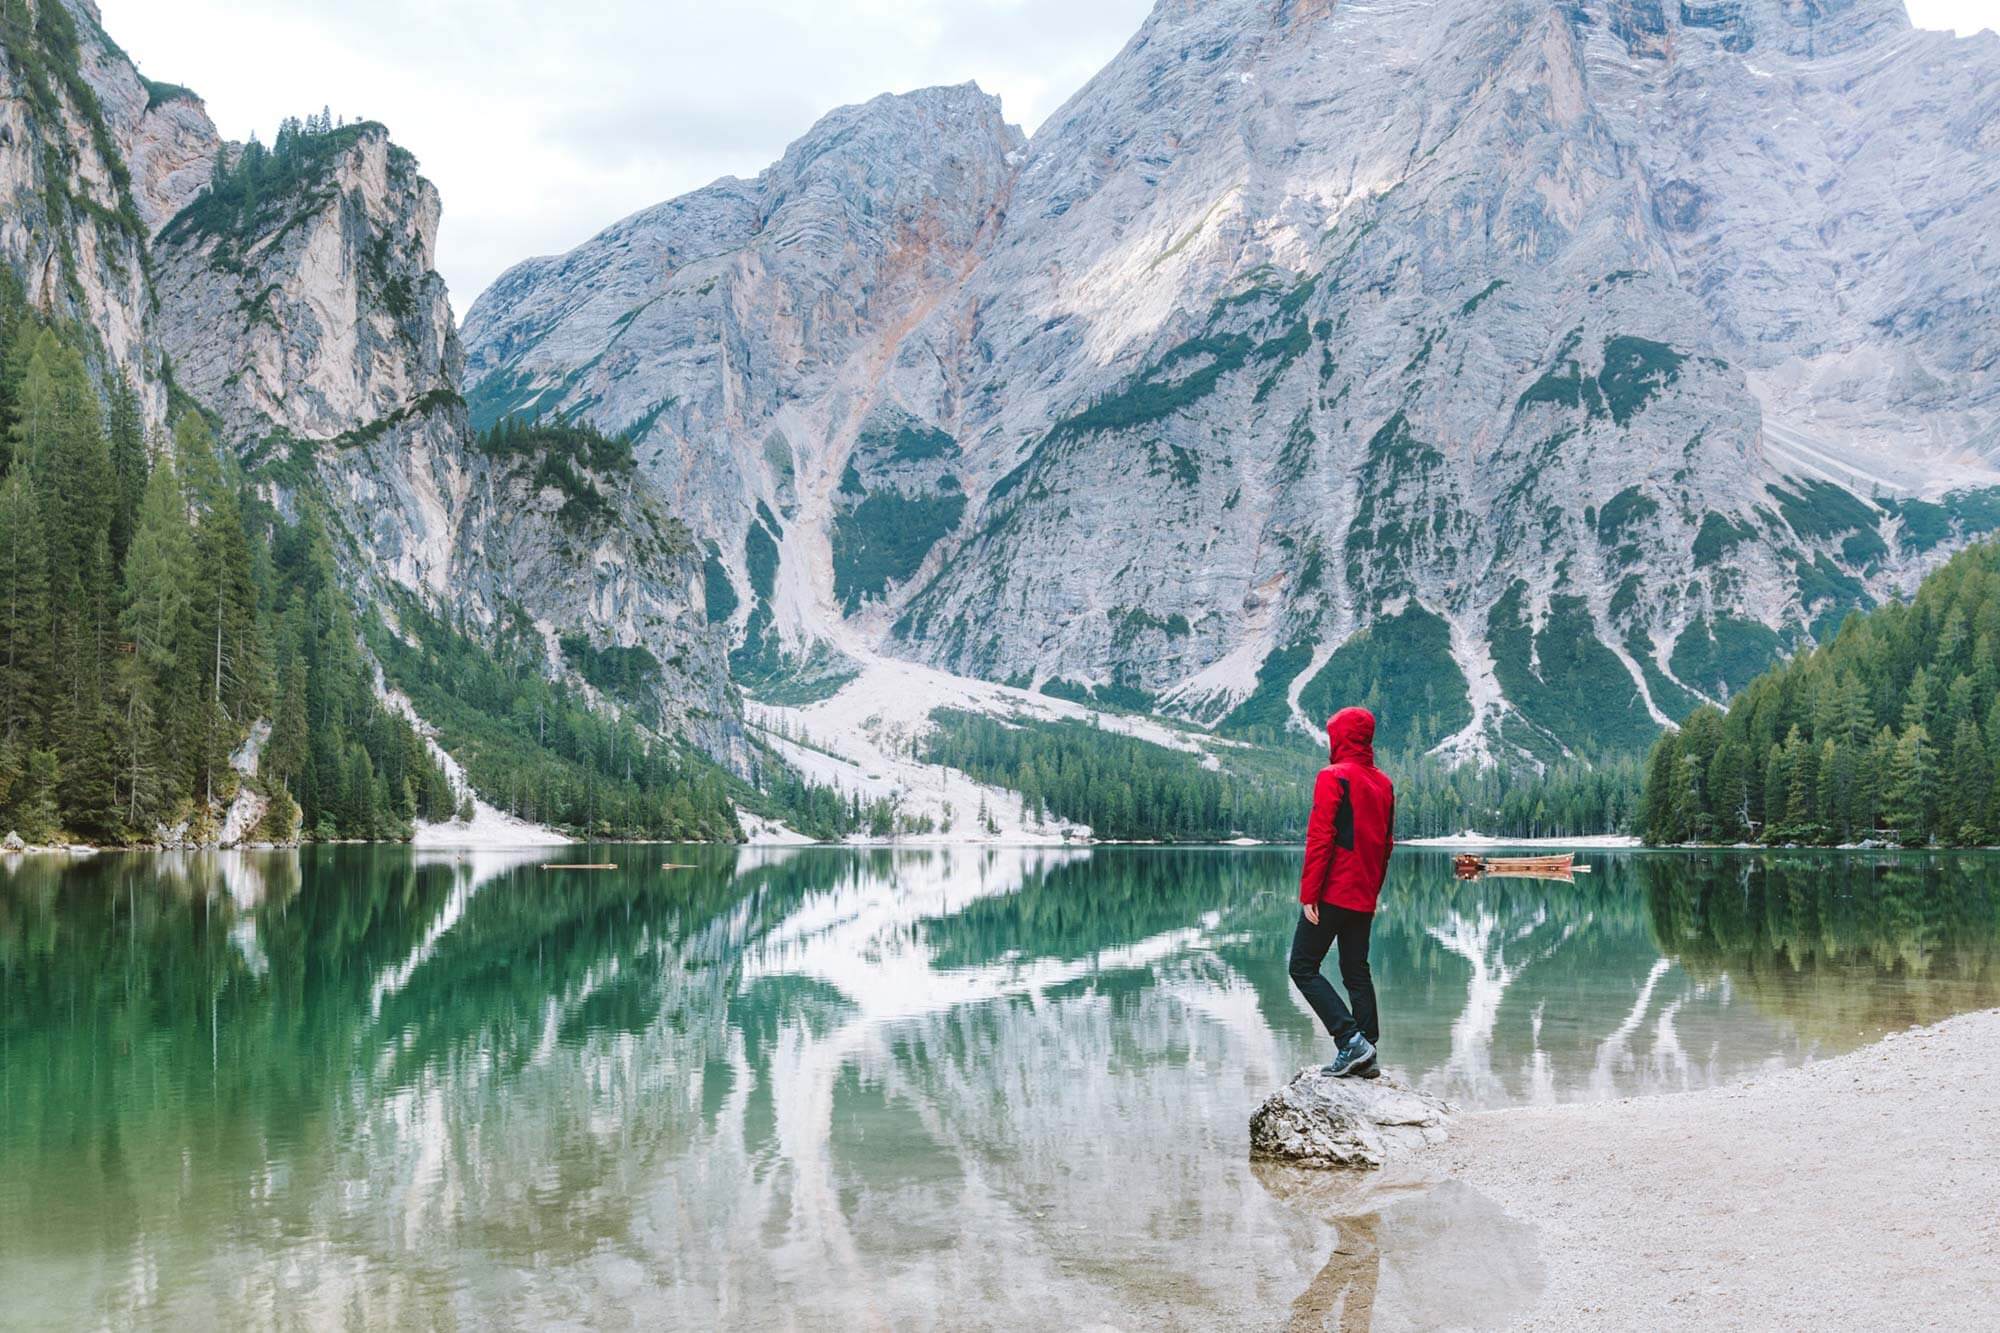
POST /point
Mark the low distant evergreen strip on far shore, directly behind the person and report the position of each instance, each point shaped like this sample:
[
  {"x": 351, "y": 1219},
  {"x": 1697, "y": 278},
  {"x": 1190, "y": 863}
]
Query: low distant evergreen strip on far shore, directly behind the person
[{"x": 1133, "y": 790}]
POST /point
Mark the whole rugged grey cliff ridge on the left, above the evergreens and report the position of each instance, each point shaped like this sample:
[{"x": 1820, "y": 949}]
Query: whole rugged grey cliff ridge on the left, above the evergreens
[{"x": 291, "y": 295}]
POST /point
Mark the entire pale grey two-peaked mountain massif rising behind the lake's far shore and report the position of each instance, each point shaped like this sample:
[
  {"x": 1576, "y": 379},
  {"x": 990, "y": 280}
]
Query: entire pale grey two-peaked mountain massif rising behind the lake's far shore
[{"x": 1529, "y": 369}]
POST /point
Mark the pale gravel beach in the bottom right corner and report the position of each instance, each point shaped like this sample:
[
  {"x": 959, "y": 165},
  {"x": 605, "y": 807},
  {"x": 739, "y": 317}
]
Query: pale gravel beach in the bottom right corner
[{"x": 1855, "y": 1192}]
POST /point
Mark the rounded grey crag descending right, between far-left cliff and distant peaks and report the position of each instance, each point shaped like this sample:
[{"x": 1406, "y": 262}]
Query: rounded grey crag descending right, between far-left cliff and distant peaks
[{"x": 319, "y": 331}]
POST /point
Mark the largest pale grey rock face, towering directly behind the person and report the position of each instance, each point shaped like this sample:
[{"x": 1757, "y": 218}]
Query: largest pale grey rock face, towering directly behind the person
[{"x": 1423, "y": 311}]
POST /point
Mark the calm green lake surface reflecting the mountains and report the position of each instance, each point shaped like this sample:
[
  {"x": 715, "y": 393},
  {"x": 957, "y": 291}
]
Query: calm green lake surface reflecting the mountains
[{"x": 829, "y": 1088}]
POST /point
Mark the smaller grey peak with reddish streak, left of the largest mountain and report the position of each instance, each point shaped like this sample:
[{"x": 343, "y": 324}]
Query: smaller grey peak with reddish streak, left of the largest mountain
[{"x": 743, "y": 335}]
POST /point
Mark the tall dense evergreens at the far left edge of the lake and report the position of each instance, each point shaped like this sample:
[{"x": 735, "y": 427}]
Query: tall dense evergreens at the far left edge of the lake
[{"x": 151, "y": 613}]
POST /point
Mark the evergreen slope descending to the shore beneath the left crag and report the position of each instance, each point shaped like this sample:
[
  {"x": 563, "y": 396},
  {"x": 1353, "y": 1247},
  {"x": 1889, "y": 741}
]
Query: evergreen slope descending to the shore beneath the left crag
[{"x": 537, "y": 750}]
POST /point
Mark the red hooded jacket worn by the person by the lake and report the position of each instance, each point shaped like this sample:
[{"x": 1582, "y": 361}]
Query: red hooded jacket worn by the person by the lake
[{"x": 1353, "y": 824}]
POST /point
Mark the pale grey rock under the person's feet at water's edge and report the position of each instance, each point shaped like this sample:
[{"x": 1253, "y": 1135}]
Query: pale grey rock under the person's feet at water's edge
[{"x": 1325, "y": 1122}]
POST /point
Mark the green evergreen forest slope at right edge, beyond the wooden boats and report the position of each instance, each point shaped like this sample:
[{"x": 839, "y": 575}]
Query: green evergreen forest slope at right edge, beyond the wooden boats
[{"x": 1887, "y": 734}]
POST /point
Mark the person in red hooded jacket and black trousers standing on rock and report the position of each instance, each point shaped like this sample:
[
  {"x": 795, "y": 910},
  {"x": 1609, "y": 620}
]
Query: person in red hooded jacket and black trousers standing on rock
[{"x": 1349, "y": 840}]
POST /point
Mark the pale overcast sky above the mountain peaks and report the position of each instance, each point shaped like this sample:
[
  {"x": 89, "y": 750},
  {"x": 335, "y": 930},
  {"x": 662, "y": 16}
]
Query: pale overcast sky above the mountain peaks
[{"x": 545, "y": 121}]
